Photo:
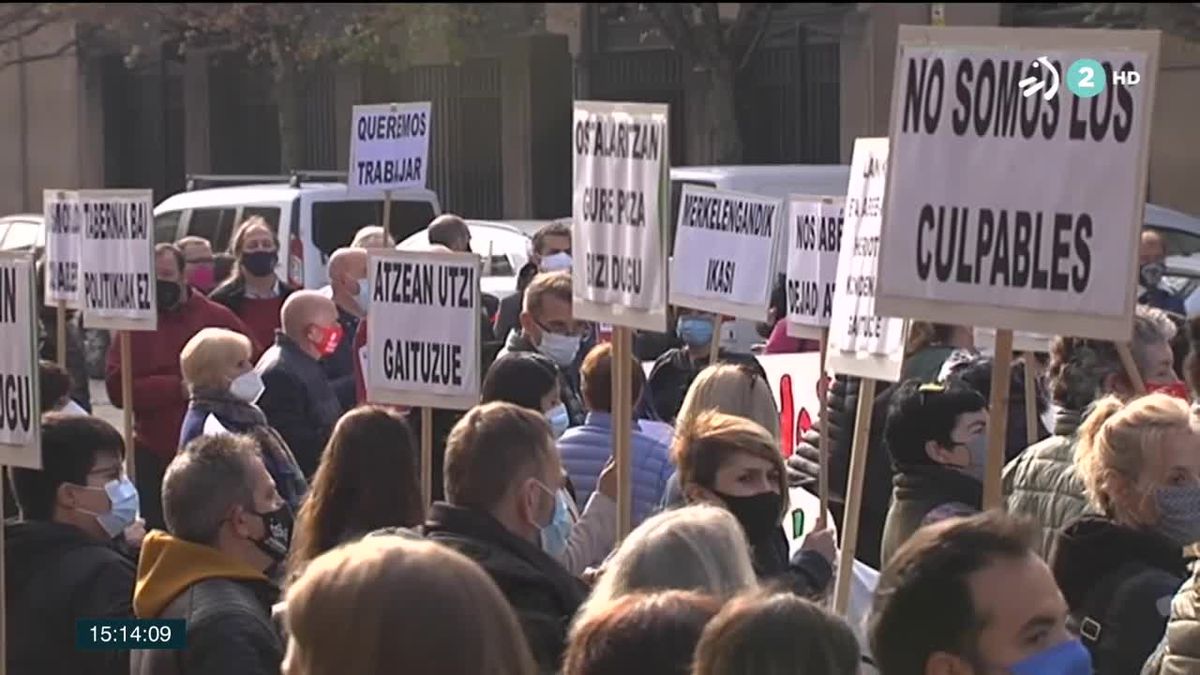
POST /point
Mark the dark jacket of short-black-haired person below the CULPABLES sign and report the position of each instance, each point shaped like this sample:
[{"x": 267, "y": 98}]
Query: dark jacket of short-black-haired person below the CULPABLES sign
[{"x": 917, "y": 493}]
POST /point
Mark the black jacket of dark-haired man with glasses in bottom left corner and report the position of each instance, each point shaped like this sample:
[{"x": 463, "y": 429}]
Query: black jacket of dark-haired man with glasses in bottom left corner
[{"x": 56, "y": 576}]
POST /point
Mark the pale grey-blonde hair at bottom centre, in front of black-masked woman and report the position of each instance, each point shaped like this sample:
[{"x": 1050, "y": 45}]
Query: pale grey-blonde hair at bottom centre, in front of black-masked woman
[{"x": 698, "y": 548}]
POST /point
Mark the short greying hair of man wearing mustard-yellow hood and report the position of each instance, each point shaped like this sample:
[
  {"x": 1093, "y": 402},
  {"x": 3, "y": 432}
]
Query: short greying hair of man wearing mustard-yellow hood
[{"x": 207, "y": 479}]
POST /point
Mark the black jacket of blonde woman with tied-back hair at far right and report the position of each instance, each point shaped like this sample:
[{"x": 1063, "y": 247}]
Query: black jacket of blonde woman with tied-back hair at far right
[{"x": 1124, "y": 580}]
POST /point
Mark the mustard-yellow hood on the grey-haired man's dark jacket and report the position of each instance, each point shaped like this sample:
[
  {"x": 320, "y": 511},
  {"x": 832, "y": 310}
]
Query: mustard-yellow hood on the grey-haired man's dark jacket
[{"x": 169, "y": 566}]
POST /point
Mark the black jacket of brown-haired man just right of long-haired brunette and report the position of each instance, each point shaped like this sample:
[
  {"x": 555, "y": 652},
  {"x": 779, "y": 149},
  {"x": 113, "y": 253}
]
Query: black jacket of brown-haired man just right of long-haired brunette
[{"x": 543, "y": 594}]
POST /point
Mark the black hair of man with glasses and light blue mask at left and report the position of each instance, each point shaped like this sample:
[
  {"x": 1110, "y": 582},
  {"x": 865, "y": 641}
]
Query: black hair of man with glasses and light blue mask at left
[{"x": 70, "y": 449}]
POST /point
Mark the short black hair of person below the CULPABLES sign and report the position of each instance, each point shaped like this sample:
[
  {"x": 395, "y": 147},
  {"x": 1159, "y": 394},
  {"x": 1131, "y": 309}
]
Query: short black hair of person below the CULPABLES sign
[{"x": 925, "y": 413}]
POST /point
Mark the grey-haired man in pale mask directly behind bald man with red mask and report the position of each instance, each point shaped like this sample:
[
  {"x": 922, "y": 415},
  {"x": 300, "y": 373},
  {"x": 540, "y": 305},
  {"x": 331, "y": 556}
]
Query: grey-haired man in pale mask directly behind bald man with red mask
[{"x": 349, "y": 290}]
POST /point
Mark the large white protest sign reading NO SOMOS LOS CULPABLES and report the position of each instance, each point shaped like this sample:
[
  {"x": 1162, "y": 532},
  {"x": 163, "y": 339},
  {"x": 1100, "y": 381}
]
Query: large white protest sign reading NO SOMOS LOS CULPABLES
[{"x": 1010, "y": 211}]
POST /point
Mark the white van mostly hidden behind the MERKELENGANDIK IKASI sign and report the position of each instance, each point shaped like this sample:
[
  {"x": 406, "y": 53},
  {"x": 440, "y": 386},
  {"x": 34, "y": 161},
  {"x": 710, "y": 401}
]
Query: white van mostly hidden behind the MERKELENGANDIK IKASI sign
[{"x": 770, "y": 181}]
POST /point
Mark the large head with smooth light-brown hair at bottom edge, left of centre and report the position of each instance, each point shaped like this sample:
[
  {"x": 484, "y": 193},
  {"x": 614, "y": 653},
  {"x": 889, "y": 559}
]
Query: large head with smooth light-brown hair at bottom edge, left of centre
[{"x": 392, "y": 605}]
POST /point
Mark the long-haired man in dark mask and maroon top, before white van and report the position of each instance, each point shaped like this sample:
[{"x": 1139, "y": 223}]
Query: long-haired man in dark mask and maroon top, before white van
[{"x": 255, "y": 294}]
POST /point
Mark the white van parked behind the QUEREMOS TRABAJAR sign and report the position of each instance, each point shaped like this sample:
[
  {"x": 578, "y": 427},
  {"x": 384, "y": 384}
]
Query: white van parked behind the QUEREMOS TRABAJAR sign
[{"x": 311, "y": 220}]
